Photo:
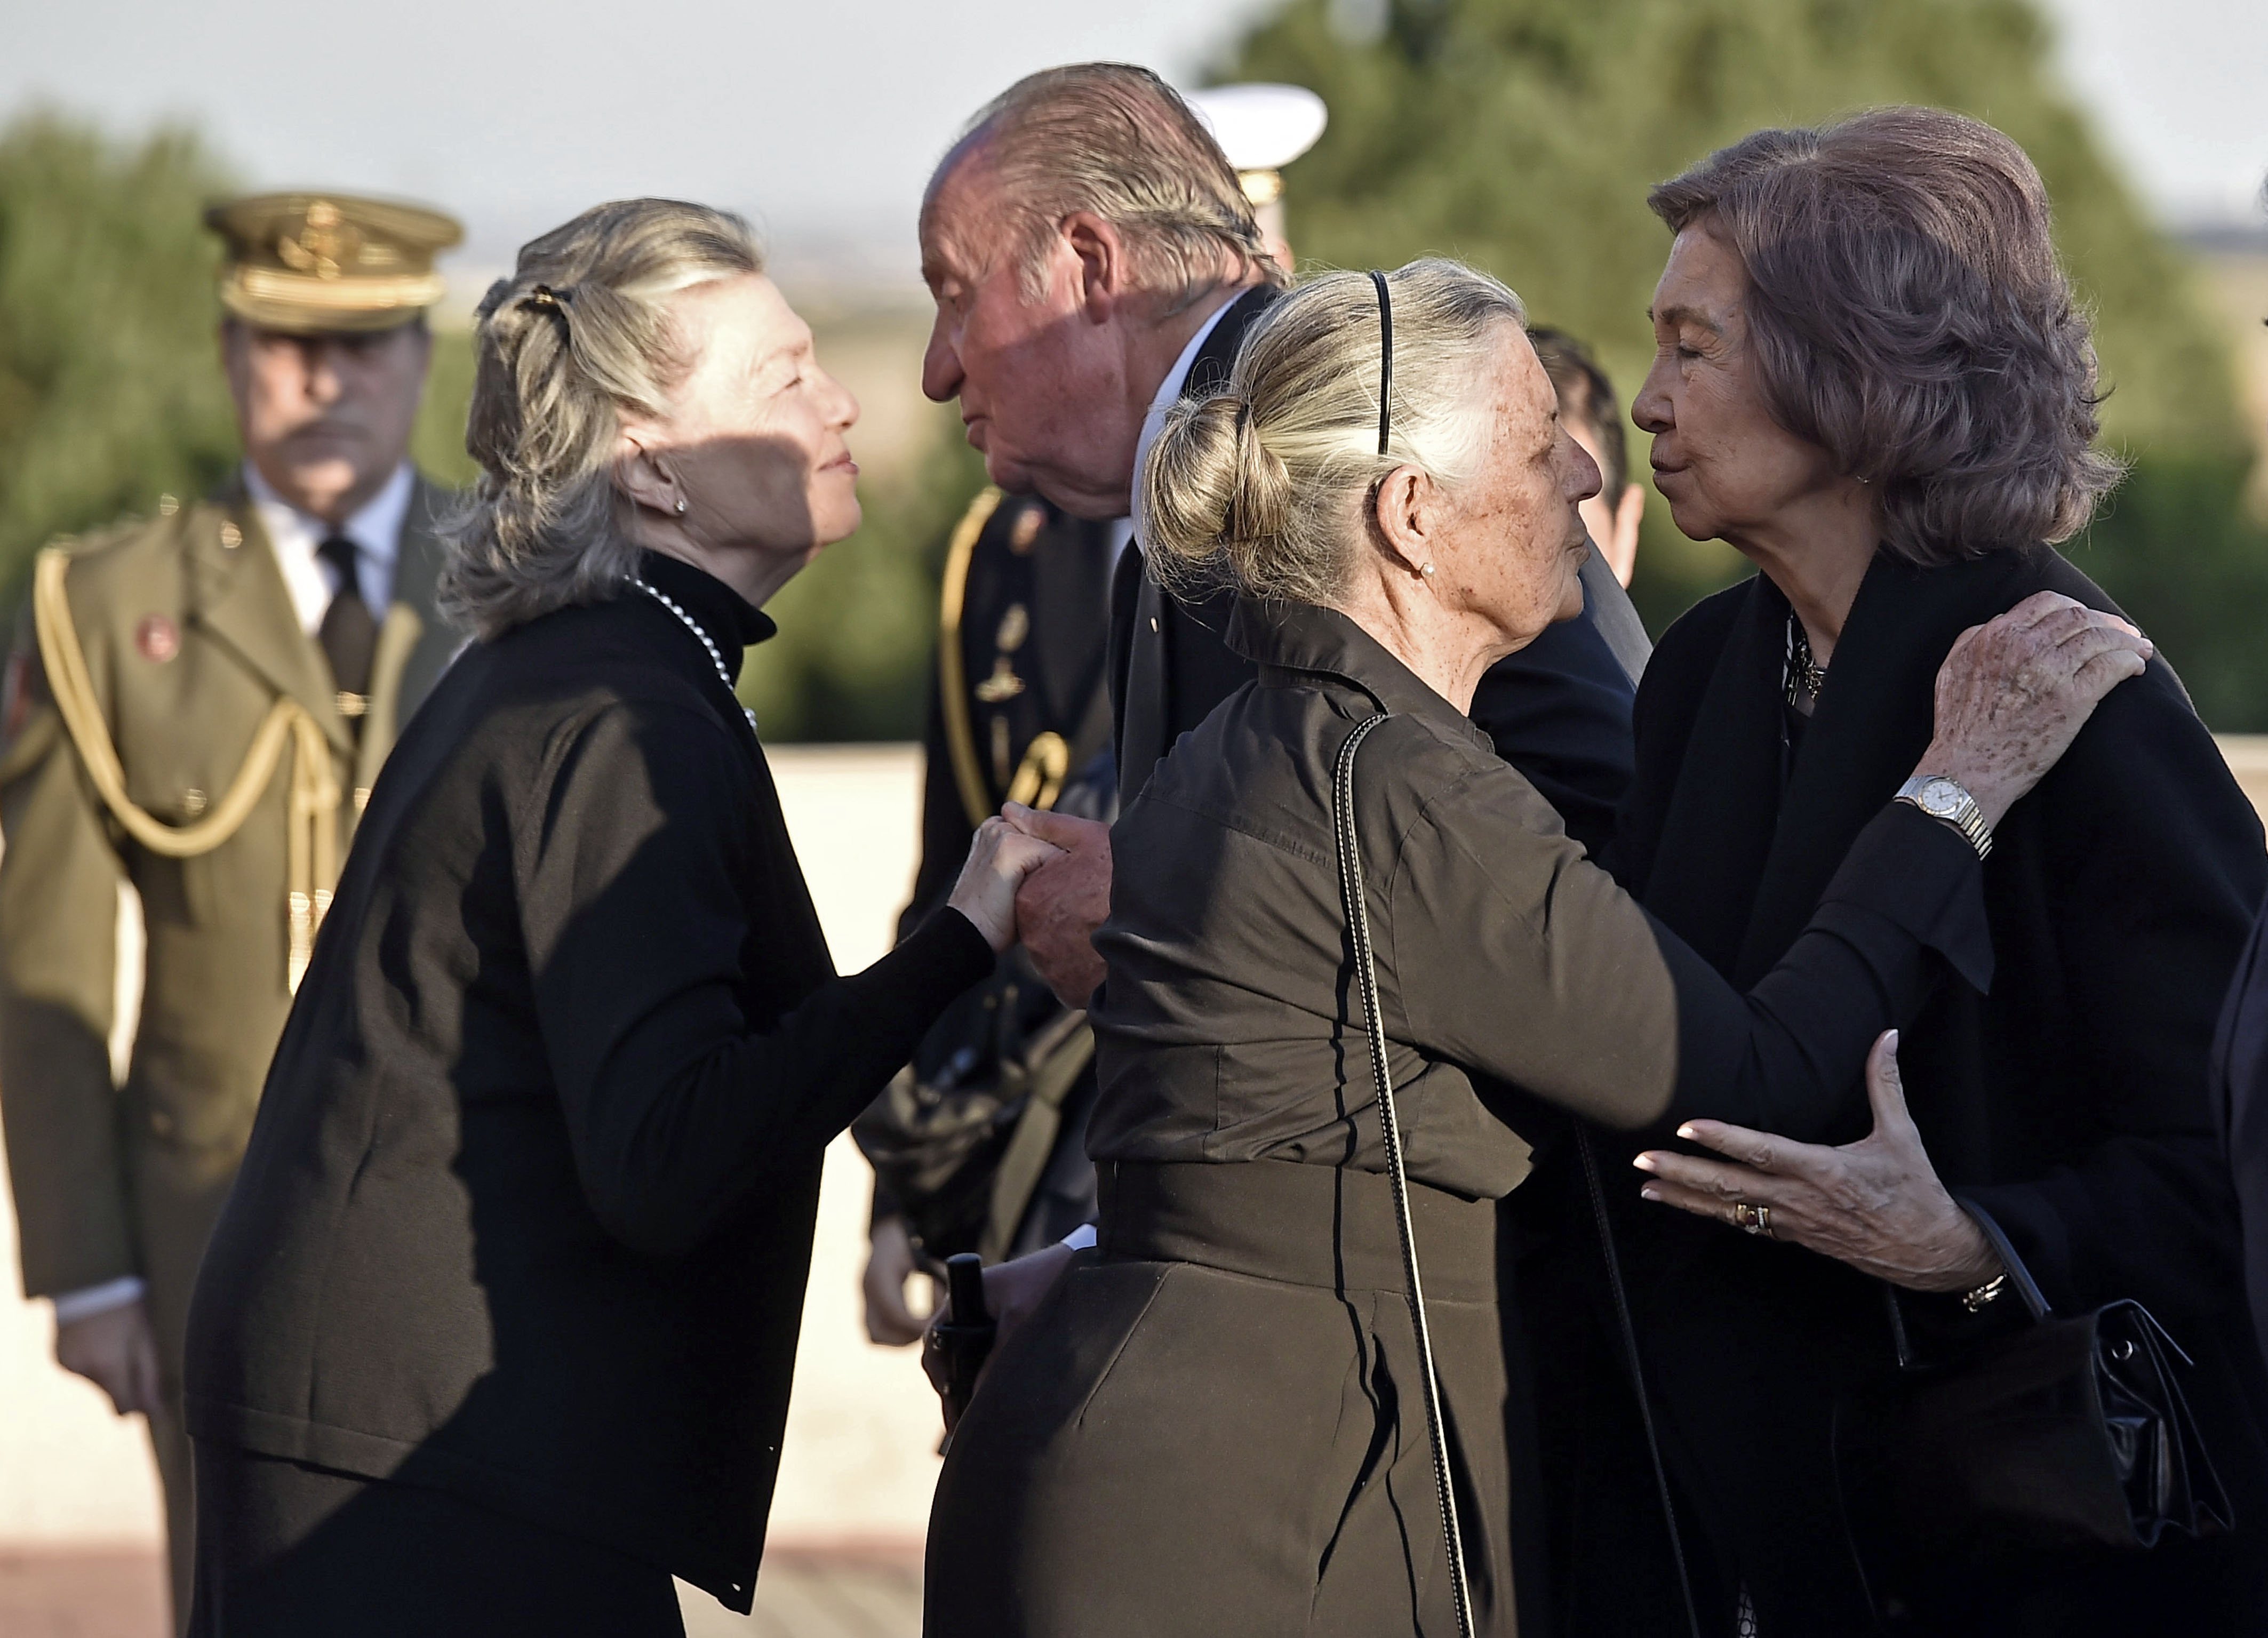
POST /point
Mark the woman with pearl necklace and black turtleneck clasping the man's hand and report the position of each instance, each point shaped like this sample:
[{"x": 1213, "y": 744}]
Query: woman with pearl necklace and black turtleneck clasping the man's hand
[{"x": 498, "y": 1326}]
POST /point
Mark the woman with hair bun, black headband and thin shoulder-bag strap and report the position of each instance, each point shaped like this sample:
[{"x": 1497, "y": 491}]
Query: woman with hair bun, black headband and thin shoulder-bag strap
[{"x": 1230, "y": 1415}]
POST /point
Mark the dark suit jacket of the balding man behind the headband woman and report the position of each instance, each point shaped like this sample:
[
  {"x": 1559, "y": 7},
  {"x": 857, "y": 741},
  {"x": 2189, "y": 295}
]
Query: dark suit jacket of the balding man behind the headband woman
[{"x": 1557, "y": 711}]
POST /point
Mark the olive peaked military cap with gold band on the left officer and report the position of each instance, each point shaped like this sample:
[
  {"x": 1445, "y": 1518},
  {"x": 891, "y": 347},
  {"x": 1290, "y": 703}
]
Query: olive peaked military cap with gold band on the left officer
[{"x": 330, "y": 262}]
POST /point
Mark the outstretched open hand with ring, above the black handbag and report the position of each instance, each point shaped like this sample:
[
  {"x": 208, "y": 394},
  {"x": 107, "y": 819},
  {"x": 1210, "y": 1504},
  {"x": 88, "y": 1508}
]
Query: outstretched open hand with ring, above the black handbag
[{"x": 1875, "y": 1206}]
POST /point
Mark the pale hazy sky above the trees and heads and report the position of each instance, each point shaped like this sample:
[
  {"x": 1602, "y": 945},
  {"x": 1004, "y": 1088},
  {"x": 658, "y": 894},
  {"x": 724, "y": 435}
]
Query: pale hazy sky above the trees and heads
[{"x": 822, "y": 119}]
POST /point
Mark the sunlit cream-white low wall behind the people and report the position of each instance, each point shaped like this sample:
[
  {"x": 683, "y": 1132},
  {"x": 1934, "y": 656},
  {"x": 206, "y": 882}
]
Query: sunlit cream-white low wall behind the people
[{"x": 863, "y": 1430}]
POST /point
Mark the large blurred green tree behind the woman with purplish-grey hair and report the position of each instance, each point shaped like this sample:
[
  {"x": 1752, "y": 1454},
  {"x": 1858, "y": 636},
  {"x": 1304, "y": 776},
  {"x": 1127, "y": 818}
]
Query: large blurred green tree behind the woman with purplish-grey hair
[{"x": 1523, "y": 137}]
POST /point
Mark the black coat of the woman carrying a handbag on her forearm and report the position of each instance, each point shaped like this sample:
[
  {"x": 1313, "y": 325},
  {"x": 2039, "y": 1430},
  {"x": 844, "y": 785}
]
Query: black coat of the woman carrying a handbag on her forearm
[{"x": 2067, "y": 1097}]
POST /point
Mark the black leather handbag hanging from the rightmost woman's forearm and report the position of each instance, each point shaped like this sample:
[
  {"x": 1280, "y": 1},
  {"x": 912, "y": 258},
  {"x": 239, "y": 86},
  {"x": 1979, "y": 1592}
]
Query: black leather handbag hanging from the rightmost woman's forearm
[{"x": 2067, "y": 1435}]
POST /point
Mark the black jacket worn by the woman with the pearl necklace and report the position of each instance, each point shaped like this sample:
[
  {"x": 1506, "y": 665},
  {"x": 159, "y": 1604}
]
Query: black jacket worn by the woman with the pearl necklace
[{"x": 527, "y": 1210}]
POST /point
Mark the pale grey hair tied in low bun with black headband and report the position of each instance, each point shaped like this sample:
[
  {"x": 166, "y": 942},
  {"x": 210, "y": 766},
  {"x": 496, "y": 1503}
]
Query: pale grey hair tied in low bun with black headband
[{"x": 1258, "y": 484}]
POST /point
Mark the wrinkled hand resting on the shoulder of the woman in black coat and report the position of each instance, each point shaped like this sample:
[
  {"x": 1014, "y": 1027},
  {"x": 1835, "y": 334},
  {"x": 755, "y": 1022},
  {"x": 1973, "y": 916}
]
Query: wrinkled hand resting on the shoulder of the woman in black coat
[{"x": 2015, "y": 693}]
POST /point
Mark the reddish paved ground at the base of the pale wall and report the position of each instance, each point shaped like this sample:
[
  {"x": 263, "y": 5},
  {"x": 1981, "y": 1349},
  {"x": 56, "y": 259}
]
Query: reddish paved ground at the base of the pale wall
[{"x": 870, "y": 1594}]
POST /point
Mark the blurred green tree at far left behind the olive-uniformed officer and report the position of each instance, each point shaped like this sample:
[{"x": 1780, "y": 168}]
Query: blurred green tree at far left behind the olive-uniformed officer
[{"x": 110, "y": 380}]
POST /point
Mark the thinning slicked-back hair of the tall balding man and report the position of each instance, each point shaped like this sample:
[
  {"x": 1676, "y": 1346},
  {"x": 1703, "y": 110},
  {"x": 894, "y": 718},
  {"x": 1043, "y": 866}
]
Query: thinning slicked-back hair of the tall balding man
[{"x": 1122, "y": 144}]
